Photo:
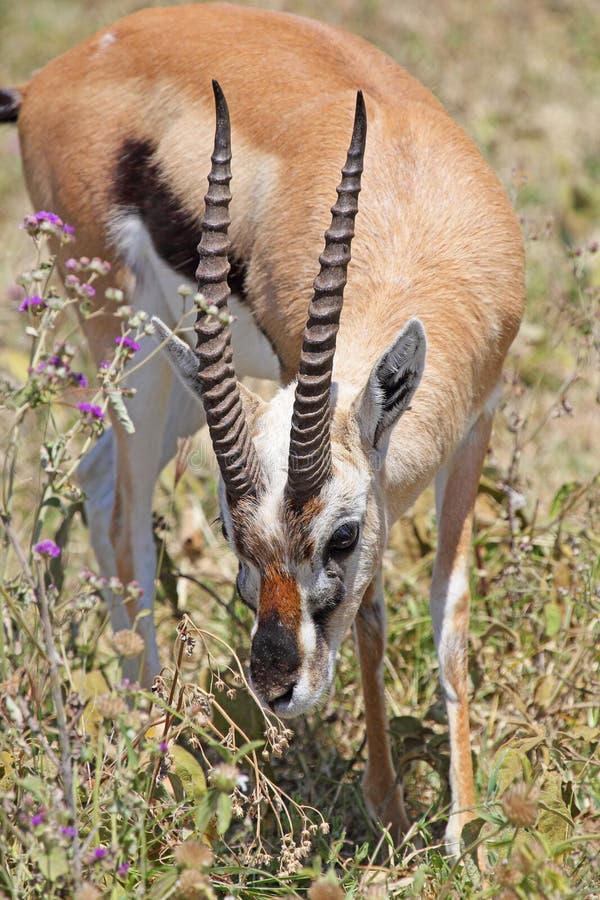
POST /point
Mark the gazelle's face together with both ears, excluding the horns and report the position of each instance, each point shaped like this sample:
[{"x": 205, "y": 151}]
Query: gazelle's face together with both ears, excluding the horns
[{"x": 304, "y": 566}]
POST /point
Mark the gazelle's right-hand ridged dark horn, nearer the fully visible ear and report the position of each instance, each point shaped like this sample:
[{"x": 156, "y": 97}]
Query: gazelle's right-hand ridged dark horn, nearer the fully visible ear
[{"x": 309, "y": 462}]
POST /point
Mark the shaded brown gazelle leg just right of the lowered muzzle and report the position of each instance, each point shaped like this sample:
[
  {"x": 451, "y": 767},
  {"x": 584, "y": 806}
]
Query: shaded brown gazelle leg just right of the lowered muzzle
[{"x": 383, "y": 795}]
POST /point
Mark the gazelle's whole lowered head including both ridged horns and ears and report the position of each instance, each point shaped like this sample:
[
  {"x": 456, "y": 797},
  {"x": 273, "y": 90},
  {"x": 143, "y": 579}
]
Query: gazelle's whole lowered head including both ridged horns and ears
[{"x": 301, "y": 491}]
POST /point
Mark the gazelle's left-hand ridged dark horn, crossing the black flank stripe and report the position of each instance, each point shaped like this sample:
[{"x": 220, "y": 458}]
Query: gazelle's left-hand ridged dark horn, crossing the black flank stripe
[{"x": 231, "y": 440}]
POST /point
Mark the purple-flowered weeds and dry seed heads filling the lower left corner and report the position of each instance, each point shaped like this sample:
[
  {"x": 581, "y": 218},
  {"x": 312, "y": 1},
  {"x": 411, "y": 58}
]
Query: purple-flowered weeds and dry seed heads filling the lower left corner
[{"x": 91, "y": 767}]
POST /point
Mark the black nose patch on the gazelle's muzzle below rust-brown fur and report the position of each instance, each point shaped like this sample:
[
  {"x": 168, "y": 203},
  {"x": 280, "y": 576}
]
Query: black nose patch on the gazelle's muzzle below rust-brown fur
[{"x": 274, "y": 660}]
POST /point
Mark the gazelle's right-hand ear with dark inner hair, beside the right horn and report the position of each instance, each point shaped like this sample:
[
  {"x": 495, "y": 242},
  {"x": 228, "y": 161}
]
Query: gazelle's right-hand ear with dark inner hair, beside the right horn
[{"x": 392, "y": 383}]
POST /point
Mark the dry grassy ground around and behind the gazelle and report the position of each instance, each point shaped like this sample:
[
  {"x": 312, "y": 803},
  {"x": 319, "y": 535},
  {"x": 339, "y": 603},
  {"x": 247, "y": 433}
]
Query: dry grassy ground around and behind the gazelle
[{"x": 524, "y": 80}]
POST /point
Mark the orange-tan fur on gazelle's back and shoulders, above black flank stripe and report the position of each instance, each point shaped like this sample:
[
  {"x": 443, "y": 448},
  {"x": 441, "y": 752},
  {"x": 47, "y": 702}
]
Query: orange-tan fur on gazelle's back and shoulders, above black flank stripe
[{"x": 430, "y": 207}]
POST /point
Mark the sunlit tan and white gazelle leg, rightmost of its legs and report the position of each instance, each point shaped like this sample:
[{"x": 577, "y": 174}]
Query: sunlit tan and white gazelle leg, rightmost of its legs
[{"x": 456, "y": 490}]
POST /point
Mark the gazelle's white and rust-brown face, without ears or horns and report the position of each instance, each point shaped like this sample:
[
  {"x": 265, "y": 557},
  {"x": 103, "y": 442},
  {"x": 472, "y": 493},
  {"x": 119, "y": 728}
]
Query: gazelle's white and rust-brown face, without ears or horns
[{"x": 303, "y": 570}]
